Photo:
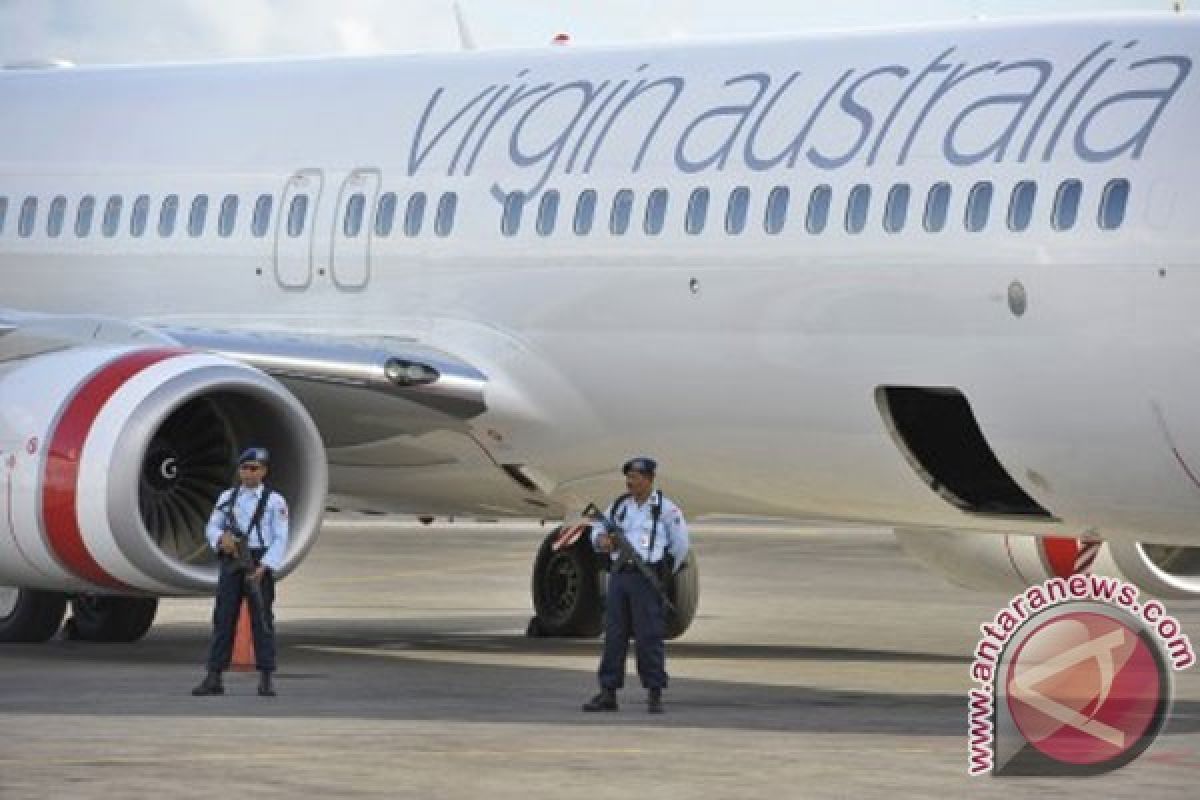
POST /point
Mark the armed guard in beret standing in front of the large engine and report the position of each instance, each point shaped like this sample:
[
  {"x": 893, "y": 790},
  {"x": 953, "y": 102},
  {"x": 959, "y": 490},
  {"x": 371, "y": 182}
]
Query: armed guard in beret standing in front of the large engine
[{"x": 254, "y": 510}]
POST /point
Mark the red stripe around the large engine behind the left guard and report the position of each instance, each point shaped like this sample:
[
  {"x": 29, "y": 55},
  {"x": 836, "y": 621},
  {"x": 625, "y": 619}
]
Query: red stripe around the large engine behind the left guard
[{"x": 62, "y": 486}]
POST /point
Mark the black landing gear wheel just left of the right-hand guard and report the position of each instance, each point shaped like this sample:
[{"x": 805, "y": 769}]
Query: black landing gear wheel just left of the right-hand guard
[{"x": 568, "y": 586}]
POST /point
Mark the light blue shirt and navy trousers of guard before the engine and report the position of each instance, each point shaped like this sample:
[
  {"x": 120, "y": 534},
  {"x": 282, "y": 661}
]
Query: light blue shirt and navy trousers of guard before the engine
[{"x": 268, "y": 546}]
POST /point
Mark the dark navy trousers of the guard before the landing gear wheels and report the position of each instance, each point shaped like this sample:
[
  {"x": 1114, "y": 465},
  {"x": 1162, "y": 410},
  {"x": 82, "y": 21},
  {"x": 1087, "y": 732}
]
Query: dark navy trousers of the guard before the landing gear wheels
[{"x": 634, "y": 605}]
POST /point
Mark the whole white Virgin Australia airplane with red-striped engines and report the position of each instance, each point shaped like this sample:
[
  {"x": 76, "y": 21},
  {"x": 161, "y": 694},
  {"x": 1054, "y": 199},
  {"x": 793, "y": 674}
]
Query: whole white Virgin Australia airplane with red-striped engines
[{"x": 937, "y": 278}]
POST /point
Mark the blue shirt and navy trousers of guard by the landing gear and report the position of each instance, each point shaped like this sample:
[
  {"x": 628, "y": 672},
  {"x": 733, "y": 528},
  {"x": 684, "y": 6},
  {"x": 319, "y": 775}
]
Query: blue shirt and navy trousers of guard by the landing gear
[{"x": 633, "y": 604}]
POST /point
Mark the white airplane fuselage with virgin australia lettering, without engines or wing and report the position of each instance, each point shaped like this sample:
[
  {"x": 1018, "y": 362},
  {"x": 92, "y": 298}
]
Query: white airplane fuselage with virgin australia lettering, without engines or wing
[{"x": 746, "y": 363}]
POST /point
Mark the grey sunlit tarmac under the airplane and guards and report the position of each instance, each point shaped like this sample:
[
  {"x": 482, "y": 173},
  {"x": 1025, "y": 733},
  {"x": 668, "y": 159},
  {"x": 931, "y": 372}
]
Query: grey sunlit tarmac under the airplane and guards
[{"x": 823, "y": 664}]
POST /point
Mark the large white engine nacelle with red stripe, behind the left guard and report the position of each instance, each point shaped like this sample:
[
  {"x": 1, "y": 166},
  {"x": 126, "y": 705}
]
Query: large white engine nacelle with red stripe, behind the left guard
[{"x": 112, "y": 459}]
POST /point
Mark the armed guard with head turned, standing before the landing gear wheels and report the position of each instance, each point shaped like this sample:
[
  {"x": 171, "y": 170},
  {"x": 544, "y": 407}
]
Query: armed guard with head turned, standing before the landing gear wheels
[{"x": 656, "y": 528}]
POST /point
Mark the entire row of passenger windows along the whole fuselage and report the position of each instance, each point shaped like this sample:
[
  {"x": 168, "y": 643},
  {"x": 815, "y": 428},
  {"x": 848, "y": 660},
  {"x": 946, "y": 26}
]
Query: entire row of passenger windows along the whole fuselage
[{"x": 976, "y": 214}]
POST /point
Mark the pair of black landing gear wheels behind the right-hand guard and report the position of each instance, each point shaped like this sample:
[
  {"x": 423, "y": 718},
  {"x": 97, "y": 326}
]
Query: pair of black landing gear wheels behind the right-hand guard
[{"x": 569, "y": 582}]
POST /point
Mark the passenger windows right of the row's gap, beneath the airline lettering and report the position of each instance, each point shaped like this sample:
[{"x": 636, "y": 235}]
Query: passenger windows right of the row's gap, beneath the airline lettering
[{"x": 977, "y": 210}]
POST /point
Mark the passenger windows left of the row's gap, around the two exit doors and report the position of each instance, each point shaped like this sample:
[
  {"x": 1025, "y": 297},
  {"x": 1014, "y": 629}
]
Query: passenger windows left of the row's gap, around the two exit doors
[{"x": 166, "y": 216}]
